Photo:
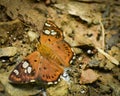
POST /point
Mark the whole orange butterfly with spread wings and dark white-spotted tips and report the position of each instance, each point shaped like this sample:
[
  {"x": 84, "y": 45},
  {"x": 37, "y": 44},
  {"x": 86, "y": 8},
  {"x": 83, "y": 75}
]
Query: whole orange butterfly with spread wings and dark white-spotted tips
[{"x": 47, "y": 63}]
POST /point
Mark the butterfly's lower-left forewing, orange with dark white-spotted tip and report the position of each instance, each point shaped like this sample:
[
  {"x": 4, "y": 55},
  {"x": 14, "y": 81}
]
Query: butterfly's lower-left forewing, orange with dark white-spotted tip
[{"x": 27, "y": 70}]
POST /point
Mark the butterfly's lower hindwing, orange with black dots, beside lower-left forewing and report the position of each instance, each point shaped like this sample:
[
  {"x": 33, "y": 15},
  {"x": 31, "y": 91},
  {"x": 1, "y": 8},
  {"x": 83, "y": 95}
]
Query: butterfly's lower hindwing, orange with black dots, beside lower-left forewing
[{"x": 49, "y": 70}]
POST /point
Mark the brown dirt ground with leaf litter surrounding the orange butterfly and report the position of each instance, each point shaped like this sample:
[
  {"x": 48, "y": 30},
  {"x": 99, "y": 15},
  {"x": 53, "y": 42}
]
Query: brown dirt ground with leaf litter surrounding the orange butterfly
[{"x": 87, "y": 30}]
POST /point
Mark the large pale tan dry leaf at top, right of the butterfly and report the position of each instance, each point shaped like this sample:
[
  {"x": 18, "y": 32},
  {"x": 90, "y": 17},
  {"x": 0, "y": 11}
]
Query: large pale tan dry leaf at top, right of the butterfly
[{"x": 90, "y": 13}]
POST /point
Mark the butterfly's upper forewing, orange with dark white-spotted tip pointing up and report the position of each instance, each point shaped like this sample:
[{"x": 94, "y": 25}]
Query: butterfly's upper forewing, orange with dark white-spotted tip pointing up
[{"x": 51, "y": 33}]
